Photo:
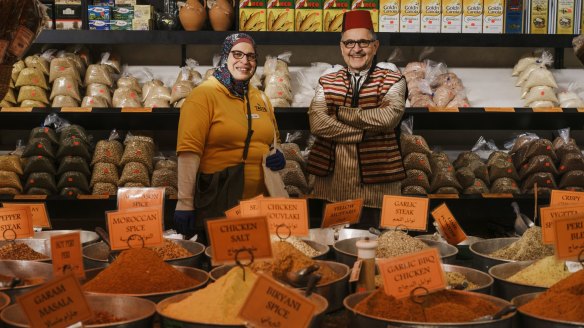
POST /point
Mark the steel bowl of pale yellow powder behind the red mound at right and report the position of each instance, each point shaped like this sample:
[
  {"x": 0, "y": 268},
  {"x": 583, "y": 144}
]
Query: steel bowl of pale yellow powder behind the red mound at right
[{"x": 507, "y": 289}]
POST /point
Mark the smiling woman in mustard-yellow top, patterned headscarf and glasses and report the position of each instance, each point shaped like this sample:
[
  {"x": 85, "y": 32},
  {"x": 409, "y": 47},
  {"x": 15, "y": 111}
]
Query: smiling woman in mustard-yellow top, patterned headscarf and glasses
[{"x": 213, "y": 129}]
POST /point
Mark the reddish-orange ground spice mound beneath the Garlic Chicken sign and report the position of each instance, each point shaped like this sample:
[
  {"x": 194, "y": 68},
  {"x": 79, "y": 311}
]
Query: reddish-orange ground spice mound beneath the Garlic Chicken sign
[{"x": 442, "y": 306}]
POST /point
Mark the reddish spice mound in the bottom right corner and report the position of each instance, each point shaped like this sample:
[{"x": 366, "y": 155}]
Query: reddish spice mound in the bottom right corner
[{"x": 563, "y": 301}]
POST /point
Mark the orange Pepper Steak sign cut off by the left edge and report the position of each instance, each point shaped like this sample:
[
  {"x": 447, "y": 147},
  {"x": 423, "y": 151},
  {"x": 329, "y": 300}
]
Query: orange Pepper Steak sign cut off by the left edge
[{"x": 15, "y": 223}]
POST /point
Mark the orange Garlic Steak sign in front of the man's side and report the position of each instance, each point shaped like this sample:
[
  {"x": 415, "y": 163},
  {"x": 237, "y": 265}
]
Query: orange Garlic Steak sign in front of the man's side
[{"x": 411, "y": 212}]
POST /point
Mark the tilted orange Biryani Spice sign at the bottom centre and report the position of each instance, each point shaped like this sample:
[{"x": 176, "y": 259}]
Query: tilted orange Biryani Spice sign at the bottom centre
[{"x": 271, "y": 304}]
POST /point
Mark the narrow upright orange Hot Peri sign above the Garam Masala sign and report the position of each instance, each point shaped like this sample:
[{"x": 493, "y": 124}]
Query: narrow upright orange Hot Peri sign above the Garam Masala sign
[{"x": 66, "y": 254}]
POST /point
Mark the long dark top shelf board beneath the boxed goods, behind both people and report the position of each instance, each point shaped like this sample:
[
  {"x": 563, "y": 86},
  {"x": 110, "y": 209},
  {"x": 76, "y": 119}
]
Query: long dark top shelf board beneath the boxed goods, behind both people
[{"x": 302, "y": 38}]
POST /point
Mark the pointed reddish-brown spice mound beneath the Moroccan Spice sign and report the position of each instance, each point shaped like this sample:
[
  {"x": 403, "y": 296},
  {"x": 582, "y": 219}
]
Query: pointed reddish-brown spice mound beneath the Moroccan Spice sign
[{"x": 139, "y": 271}]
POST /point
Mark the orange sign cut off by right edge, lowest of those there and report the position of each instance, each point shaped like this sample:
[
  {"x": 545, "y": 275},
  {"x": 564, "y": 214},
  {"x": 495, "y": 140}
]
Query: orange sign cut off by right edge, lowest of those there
[{"x": 569, "y": 238}]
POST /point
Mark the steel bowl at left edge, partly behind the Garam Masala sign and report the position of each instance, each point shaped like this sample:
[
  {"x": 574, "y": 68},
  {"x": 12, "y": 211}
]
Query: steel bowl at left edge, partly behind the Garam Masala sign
[{"x": 25, "y": 270}]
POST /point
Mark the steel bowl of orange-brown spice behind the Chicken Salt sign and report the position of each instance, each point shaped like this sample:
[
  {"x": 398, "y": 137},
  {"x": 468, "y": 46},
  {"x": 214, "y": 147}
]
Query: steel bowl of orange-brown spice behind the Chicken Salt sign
[{"x": 333, "y": 291}]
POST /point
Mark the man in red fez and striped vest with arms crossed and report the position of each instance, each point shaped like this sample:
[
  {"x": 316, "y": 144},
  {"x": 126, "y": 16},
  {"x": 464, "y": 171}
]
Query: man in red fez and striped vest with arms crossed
[{"x": 354, "y": 116}]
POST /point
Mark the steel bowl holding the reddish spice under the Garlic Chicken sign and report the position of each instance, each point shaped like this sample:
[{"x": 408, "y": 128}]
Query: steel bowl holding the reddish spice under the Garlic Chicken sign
[{"x": 367, "y": 321}]
